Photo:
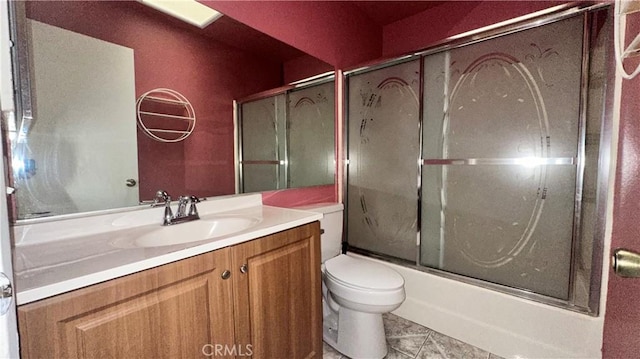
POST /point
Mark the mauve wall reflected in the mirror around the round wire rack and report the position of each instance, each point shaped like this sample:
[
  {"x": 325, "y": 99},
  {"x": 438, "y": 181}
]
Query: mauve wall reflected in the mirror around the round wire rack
[{"x": 210, "y": 74}]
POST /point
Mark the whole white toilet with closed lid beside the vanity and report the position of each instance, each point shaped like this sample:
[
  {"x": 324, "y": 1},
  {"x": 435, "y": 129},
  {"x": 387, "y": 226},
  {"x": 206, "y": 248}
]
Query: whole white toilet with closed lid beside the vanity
[{"x": 355, "y": 293}]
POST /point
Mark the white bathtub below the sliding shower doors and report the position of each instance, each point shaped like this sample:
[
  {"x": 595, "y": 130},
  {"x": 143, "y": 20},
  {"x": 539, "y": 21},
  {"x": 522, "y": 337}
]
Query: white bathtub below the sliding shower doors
[{"x": 502, "y": 324}]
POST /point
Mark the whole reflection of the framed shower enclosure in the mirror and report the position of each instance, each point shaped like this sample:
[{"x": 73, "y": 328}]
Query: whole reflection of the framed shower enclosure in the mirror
[{"x": 286, "y": 137}]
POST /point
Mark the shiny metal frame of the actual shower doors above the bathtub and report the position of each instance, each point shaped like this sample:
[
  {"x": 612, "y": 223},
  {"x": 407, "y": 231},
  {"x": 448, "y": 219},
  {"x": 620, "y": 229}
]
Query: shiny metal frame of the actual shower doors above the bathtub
[{"x": 546, "y": 17}]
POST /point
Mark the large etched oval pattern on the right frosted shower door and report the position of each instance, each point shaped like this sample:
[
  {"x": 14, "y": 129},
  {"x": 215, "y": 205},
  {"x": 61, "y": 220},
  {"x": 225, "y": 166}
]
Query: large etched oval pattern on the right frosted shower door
[{"x": 495, "y": 87}]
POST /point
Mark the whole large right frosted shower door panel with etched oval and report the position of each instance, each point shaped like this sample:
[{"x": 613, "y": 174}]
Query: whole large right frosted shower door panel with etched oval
[{"x": 505, "y": 106}]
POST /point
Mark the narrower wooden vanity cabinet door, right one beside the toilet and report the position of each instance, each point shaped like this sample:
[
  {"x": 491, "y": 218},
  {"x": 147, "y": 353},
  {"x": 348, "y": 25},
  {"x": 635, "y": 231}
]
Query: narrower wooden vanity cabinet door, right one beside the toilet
[{"x": 278, "y": 298}]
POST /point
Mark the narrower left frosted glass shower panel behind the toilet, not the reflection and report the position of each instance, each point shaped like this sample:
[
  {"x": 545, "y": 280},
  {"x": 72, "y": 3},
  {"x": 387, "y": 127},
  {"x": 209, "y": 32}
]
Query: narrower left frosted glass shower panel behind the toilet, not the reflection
[{"x": 383, "y": 151}]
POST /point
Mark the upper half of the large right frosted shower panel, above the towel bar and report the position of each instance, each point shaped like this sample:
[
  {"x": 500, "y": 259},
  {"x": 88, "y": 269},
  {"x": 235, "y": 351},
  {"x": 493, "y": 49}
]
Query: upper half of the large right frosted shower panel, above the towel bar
[{"x": 523, "y": 89}]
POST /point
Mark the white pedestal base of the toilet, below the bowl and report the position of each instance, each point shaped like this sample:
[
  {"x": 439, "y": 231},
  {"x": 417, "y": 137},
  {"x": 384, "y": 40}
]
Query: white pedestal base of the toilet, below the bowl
[{"x": 359, "y": 335}]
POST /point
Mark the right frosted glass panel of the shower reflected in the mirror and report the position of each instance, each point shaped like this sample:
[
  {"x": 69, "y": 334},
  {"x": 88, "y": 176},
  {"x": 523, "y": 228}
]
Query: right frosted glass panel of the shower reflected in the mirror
[{"x": 311, "y": 131}]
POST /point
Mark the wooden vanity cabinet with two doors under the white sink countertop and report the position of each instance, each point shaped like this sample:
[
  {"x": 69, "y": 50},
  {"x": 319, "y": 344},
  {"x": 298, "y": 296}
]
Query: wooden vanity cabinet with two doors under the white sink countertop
[{"x": 261, "y": 298}]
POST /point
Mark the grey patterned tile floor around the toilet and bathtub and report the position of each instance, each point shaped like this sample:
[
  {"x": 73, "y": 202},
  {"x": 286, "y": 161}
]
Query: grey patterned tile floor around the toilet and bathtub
[{"x": 408, "y": 340}]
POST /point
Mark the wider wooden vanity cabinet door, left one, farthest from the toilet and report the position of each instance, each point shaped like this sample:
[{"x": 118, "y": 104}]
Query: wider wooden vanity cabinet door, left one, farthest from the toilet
[{"x": 179, "y": 310}]
